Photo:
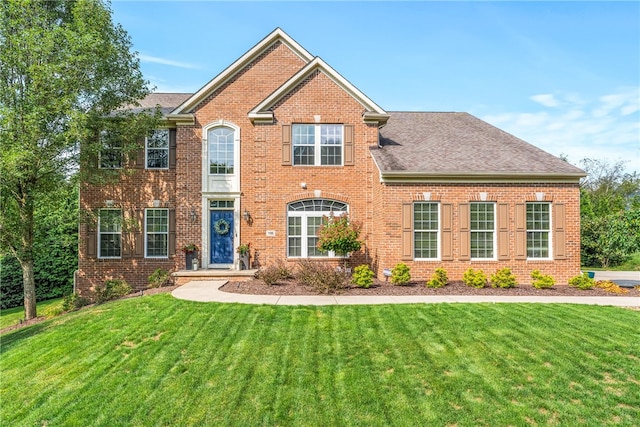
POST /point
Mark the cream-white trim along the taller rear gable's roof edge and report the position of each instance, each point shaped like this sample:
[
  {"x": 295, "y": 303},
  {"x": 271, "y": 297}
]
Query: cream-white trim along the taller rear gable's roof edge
[{"x": 228, "y": 73}]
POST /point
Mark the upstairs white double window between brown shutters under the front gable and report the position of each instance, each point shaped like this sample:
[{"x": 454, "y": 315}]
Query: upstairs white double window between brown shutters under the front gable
[{"x": 317, "y": 145}]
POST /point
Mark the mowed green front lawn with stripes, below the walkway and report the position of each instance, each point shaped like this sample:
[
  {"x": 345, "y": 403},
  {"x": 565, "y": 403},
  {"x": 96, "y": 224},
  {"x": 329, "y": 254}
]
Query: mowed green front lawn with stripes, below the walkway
[{"x": 161, "y": 361}]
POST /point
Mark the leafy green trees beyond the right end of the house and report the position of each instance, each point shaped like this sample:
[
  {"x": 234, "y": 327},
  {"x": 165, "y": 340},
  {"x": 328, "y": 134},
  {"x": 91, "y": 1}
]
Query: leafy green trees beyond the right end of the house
[{"x": 609, "y": 213}]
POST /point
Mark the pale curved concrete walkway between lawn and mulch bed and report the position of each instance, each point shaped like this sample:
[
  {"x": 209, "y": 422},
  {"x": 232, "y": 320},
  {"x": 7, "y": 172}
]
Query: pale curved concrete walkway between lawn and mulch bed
[{"x": 208, "y": 291}]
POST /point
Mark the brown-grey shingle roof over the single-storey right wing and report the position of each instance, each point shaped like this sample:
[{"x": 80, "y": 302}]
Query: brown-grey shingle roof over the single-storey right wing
[{"x": 452, "y": 146}]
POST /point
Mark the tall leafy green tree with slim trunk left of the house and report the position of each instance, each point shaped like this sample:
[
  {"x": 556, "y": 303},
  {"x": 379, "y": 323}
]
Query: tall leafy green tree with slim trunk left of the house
[{"x": 67, "y": 72}]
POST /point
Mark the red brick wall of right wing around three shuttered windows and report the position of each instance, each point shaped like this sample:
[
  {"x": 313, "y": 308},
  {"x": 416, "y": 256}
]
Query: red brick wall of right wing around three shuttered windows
[{"x": 387, "y": 240}]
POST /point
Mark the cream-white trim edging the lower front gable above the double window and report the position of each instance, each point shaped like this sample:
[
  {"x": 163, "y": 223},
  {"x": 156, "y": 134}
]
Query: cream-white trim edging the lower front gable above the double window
[{"x": 263, "y": 113}]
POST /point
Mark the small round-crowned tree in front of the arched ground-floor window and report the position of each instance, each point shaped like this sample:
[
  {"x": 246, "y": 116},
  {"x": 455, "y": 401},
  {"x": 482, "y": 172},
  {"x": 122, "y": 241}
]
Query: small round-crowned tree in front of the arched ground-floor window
[{"x": 339, "y": 235}]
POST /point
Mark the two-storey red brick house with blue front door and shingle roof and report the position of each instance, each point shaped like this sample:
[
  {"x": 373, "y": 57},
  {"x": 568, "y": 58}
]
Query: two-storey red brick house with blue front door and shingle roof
[{"x": 279, "y": 138}]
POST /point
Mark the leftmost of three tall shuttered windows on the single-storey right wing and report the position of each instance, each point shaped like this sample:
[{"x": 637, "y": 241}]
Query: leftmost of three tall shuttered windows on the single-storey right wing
[{"x": 425, "y": 230}]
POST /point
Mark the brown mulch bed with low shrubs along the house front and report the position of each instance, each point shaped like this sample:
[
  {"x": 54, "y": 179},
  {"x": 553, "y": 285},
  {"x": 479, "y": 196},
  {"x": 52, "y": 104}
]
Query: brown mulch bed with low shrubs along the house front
[{"x": 291, "y": 287}]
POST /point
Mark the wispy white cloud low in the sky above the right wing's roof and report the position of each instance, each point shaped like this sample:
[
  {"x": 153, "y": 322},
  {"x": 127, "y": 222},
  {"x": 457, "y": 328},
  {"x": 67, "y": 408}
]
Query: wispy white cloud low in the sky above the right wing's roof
[{"x": 607, "y": 127}]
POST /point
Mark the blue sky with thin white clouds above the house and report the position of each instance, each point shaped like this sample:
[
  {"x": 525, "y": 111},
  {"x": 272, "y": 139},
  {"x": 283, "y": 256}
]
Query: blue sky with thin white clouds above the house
[{"x": 564, "y": 76}]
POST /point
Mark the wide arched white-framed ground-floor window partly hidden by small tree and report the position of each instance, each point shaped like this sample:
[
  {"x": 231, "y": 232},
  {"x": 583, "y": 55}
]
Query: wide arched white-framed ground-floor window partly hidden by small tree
[{"x": 303, "y": 221}]
